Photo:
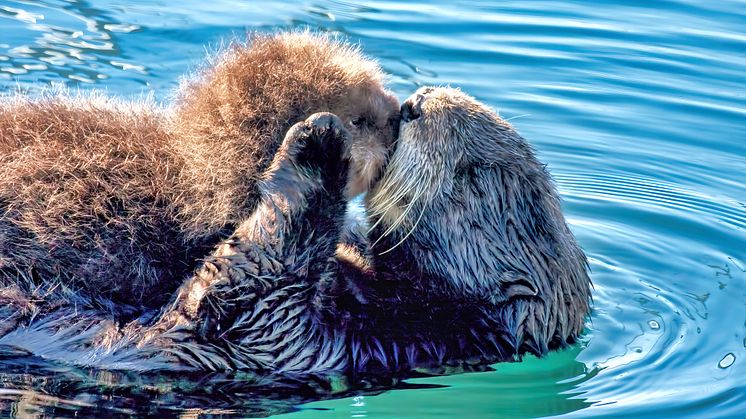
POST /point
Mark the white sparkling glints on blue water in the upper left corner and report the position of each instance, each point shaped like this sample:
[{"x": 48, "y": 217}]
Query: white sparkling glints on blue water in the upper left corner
[{"x": 58, "y": 41}]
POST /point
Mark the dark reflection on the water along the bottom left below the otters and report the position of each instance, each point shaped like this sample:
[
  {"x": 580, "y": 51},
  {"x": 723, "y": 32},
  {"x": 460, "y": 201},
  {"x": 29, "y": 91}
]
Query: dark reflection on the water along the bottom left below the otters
[{"x": 30, "y": 386}]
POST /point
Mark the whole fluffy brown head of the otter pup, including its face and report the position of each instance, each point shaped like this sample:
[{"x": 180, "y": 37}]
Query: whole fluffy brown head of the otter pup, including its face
[{"x": 231, "y": 116}]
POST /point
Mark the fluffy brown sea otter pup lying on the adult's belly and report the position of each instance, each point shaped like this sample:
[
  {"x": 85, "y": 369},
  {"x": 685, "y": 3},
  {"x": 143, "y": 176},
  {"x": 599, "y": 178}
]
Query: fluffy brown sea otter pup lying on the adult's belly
[{"x": 113, "y": 203}]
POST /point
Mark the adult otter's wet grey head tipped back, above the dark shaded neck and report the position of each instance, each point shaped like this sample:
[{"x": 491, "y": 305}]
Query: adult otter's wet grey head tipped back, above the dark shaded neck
[{"x": 465, "y": 205}]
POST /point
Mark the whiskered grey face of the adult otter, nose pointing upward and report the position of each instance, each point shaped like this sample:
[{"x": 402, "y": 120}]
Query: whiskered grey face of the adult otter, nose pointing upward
[{"x": 445, "y": 136}]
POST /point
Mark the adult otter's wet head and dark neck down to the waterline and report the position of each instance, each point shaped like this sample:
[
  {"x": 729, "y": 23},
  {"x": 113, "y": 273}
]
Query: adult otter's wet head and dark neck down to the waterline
[{"x": 467, "y": 217}]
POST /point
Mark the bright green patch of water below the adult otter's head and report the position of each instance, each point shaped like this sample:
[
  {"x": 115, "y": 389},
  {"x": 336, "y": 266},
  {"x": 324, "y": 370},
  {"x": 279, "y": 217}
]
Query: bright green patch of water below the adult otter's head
[{"x": 532, "y": 388}]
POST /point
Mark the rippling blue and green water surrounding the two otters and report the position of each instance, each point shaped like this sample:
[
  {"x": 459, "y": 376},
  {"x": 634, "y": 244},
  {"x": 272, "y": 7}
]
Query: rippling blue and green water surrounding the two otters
[{"x": 638, "y": 107}]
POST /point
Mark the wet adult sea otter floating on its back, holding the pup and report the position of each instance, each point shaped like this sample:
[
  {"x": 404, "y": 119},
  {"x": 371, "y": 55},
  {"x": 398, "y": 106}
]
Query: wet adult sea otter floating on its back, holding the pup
[{"x": 468, "y": 261}]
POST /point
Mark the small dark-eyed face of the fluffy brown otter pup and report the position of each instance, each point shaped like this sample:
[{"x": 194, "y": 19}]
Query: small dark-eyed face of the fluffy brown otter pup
[{"x": 372, "y": 117}]
